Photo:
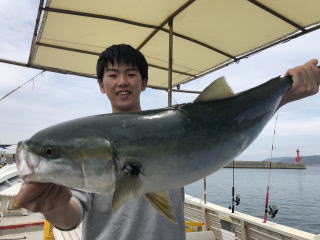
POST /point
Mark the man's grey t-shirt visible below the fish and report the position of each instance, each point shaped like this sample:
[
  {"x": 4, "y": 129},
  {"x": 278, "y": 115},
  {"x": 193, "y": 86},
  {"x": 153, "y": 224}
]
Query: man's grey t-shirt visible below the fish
[{"x": 135, "y": 220}]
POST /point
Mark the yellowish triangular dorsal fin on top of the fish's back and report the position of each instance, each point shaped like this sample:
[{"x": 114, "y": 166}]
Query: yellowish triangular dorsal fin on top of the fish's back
[{"x": 218, "y": 89}]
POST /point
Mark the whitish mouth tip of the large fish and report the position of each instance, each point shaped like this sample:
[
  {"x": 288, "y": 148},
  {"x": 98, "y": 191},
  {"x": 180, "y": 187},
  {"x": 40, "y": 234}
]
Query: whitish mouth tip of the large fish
[{"x": 27, "y": 162}]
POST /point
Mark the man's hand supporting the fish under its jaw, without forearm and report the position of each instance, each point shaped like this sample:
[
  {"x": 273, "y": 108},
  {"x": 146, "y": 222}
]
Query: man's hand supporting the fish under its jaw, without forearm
[{"x": 43, "y": 197}]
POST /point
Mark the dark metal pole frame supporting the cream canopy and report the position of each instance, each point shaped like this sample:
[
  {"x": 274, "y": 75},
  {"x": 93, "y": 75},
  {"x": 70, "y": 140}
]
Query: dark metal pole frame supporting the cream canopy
[{"x": 44, "y": 8}]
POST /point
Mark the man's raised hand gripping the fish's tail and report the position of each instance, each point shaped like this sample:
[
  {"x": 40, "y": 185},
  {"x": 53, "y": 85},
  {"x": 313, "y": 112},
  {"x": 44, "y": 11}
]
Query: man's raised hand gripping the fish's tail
[{"x": 306, "y": 81}]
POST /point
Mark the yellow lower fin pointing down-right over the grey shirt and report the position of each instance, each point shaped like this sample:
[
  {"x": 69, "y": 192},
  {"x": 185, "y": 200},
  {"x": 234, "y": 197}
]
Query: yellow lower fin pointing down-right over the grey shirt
[{"x": 161, "y": 202}]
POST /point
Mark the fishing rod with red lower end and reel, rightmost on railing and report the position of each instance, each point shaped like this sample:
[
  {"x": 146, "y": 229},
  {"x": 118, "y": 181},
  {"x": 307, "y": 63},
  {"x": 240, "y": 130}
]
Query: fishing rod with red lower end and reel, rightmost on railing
[{"x": 273, "y": 210}]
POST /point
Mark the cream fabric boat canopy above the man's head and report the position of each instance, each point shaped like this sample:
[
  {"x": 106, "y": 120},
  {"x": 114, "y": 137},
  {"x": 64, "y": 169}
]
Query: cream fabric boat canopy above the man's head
[{"x": 189, "y": 37}]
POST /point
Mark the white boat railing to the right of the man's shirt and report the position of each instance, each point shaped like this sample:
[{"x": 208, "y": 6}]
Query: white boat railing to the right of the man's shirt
[{"x": 220, "y": 221}]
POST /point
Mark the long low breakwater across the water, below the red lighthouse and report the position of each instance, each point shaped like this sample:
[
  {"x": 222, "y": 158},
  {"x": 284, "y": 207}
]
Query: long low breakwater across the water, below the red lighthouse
[{"x": 265, "y": 164}]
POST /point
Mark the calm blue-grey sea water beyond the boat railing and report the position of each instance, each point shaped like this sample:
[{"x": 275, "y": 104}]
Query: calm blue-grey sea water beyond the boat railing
[{"x": 295, "y": 192}]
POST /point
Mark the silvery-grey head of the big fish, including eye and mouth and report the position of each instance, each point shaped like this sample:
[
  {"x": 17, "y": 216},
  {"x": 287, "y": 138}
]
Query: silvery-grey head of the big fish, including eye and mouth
[{"x": 68, "y": 159}]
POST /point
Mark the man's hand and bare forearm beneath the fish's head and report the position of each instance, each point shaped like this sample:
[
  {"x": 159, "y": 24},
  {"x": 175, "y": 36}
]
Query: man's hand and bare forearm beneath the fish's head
[{"x": 53, "y": 201}]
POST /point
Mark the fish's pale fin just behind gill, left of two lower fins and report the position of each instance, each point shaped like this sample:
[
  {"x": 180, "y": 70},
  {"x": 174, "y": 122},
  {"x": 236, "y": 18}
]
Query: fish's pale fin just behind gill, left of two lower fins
[{"x": 126, "y": 188}]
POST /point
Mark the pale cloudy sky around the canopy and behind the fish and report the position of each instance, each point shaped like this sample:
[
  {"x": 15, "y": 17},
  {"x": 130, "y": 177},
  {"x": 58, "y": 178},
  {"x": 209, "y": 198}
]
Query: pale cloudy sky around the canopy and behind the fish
[{"x": 53, "y": 98}]
